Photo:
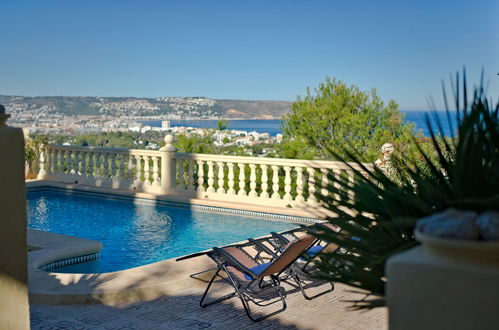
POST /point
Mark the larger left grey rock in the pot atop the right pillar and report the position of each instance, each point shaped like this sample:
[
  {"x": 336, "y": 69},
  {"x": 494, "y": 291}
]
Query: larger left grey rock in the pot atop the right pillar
[{"x": 451, "y": 223}]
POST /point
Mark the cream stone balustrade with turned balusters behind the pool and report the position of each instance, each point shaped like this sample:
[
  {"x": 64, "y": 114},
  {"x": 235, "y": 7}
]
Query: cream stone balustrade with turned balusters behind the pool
[{"x": 264, "y": 181}]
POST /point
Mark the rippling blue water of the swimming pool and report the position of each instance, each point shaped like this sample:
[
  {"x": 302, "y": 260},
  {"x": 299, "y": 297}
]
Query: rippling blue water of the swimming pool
[{"x": 136, "y": 234}]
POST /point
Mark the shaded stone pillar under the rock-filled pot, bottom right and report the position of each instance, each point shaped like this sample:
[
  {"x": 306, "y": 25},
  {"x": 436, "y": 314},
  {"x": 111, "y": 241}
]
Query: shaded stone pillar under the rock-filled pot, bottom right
[{"x": 431, "y": 292}]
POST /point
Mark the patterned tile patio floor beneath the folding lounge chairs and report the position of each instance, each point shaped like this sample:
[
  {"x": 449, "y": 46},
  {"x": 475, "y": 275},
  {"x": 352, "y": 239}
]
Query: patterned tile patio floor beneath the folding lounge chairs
[{"x": 330, "y": 311}]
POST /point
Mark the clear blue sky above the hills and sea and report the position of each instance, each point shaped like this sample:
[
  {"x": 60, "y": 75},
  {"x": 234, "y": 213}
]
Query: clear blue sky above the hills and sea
[{"x": 244, "y": 49}]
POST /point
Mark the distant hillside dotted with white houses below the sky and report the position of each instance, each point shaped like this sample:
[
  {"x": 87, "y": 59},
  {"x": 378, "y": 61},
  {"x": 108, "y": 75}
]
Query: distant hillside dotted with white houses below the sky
[{"x": 169, "y": 107}]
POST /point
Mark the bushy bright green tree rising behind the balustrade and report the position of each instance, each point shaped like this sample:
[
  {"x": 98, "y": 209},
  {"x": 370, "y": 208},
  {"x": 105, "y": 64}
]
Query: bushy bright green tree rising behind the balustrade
[{"x": 340, "y": 117}]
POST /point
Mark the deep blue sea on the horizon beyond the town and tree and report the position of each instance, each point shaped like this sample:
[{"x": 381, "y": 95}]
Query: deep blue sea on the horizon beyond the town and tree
[{"x": 272, "y": 126}]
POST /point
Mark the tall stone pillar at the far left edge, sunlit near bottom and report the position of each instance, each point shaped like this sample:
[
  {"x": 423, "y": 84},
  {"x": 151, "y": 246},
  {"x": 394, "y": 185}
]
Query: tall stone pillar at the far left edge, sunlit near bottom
[{"x": 14, "y": 306}]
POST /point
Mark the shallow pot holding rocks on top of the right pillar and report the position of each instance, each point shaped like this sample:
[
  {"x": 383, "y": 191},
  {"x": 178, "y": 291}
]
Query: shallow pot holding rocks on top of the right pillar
[{"x": 469, "y": 251}]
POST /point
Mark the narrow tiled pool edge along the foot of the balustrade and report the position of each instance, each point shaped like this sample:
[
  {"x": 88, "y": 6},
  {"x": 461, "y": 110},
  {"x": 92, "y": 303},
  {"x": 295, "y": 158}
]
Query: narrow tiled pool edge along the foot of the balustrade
[{"x": 212, "y": 209}]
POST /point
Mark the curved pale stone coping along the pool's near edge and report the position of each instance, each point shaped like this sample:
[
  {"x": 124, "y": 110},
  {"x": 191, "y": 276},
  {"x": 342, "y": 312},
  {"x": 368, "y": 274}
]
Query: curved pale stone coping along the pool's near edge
[{"x": 141, "y": 283}]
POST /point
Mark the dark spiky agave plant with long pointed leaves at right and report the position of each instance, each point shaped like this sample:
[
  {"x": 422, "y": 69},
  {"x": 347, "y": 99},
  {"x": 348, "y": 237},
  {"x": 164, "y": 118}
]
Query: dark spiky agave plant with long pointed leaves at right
[{"x": 460, "y": 172}]
